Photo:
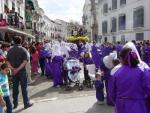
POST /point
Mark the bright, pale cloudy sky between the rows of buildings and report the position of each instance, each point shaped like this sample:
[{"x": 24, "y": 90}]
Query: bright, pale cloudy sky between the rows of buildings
[{"x": 63, "y": 9}]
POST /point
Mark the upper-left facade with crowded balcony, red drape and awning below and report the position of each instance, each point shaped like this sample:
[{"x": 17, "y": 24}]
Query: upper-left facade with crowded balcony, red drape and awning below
[{"x": 12, "y": 19}]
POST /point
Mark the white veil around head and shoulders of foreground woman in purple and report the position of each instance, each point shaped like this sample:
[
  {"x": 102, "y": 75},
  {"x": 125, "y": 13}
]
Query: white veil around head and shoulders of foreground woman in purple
[{"x": 133, "y": 47}]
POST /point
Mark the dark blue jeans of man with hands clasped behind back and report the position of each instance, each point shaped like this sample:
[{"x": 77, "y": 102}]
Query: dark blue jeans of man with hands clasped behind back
[{"x": 21, "y": 78}]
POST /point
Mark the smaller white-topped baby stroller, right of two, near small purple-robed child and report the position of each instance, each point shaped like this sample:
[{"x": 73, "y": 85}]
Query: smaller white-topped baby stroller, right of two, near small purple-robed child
[{"x": 89, "y": 75}]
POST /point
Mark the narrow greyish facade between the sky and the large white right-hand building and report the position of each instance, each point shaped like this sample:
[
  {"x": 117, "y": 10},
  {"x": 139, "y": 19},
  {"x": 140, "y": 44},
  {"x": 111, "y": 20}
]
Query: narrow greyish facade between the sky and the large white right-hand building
[{"x": 90, "y": 18}]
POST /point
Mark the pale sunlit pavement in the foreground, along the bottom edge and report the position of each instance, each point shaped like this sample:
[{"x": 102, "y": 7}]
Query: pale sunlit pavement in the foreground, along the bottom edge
[{"x": 84, "y": 104}]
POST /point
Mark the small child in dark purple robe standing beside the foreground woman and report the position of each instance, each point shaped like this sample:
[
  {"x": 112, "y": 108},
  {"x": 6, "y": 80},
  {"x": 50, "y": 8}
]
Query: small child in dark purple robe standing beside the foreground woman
[{"x": 99, "y": 85}]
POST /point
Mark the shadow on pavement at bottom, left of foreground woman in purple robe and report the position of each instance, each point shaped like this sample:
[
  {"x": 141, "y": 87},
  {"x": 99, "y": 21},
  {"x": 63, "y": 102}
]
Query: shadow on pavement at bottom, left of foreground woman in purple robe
[{"x": 98, "y": 109}]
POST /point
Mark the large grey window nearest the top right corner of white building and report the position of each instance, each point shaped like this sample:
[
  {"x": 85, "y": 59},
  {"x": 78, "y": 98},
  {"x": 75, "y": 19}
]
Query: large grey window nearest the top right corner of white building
[{"x": 139, "y": 17}]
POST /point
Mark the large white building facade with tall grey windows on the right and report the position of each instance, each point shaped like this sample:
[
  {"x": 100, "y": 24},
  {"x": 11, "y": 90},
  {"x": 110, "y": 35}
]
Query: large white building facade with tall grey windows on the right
[{"x": 124, "y": 20}]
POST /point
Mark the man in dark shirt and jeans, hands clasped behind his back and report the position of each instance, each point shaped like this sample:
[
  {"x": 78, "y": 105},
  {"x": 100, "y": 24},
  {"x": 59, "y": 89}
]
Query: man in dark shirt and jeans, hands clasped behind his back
[{"x": 17, "y": 58}]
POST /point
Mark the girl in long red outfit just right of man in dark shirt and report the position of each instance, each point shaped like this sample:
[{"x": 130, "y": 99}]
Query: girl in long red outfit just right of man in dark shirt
[{"x": 34, "y": 61}]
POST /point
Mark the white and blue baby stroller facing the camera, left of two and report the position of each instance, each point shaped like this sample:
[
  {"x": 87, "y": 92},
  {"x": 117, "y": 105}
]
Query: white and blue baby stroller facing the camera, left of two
[{"x": 72, "y": 66}]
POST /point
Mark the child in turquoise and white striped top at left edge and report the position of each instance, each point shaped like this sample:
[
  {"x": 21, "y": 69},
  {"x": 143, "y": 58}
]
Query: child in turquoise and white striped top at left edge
[{"x": 5, "y": 86}]
